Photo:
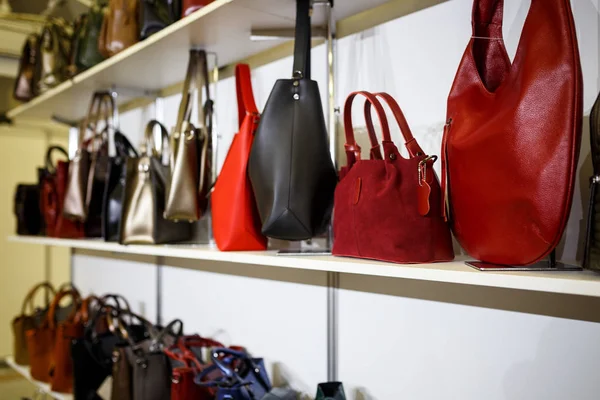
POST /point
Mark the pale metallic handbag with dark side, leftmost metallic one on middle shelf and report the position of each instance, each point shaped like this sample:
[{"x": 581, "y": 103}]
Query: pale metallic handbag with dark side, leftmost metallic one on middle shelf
[{"x": 88, "y": 171}]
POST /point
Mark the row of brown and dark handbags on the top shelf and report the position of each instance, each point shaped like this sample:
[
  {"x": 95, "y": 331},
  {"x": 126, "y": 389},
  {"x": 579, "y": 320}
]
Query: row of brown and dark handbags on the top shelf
[{"x": 63, "y": 49}]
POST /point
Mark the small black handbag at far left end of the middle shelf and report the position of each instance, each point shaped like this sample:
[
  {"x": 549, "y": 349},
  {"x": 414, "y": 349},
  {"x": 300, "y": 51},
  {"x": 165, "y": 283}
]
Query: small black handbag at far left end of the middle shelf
[{"x": 27, "y": 210}]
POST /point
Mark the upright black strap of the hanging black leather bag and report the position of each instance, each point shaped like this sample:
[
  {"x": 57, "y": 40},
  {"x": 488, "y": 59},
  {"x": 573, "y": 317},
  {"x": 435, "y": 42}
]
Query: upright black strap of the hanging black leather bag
[{"x": 302, "y": 44}]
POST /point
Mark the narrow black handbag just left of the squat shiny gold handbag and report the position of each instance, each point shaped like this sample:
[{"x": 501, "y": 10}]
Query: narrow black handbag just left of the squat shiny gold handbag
[{"x": 112, "y": 204}]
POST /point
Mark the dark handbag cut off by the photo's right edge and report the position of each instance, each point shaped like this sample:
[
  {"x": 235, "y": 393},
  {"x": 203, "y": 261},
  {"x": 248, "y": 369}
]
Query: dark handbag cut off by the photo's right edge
[{"x": 591, "y": 259}]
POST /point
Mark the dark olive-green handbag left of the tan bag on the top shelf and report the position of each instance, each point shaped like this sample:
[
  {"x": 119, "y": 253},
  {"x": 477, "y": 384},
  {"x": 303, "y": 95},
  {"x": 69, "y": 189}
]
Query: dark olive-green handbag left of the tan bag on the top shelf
[{"x": 88, "y": 53}]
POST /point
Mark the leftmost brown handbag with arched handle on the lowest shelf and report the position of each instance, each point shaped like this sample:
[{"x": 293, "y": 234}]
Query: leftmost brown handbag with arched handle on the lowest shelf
[{"x": 30, "y": 318}]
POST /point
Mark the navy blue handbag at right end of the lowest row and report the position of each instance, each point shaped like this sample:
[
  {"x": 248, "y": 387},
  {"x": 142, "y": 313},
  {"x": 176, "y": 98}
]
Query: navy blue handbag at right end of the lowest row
[{"x": 243, "y": 377}]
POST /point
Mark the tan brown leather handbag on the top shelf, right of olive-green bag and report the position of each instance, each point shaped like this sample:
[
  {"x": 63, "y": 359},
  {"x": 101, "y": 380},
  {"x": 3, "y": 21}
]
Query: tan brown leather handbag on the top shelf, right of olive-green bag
[{"x": 120, "y": 27}]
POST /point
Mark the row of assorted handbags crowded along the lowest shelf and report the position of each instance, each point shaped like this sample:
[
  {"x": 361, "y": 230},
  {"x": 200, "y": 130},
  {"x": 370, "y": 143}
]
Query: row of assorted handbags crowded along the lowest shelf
[{"x": 78, "y": 347}]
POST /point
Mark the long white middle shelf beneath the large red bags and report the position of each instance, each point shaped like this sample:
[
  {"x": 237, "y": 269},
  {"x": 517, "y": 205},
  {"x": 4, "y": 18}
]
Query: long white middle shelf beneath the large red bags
[{"x": 584, "y": 283}]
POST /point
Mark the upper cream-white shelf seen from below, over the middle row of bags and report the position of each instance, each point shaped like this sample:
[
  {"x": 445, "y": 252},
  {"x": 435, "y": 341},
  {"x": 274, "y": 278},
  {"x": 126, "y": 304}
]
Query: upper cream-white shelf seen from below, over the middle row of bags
[{"x": 223, "y": 27}]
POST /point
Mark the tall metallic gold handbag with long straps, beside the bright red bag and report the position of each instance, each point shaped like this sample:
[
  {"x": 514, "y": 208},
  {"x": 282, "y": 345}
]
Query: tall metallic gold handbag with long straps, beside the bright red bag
[{"x": 191, "y": 146}]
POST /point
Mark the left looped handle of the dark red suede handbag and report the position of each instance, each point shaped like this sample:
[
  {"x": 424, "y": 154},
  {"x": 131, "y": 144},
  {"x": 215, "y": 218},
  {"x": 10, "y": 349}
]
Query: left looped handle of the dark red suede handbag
[{"x": 351, "y": 147}]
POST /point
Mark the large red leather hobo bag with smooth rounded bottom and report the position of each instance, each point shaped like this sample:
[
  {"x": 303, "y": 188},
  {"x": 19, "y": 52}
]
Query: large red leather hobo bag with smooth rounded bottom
[{"x": 511, "y": 144}]
